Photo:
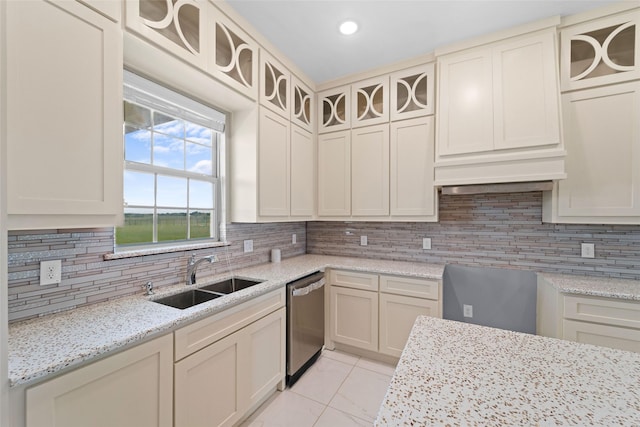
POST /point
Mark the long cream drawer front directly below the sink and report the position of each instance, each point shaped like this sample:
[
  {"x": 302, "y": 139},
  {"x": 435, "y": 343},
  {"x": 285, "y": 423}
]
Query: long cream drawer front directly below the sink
[{"x": 200, "y": 334}]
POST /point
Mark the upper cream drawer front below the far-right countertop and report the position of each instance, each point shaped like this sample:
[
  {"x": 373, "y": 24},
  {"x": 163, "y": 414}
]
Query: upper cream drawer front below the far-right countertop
[{"x": 602, "y": 310}]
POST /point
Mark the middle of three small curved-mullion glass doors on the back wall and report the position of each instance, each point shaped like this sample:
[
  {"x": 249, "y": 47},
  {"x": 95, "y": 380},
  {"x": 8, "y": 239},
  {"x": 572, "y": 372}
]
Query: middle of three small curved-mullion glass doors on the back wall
[{"x": 370, "y": 102}]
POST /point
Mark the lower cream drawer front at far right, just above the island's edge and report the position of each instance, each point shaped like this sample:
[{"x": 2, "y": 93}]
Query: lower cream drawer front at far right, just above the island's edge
[{"x": 603, "y": 335}]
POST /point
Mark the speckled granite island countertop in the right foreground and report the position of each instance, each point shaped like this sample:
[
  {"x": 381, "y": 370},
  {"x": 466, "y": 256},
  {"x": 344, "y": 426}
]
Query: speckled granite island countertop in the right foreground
[{"x": 453, "y": 373}]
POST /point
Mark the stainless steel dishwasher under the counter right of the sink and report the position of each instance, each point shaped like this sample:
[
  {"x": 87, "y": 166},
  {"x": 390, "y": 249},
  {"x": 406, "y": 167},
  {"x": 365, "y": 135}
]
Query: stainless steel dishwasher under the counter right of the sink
[{"x": 305, "y": 324}]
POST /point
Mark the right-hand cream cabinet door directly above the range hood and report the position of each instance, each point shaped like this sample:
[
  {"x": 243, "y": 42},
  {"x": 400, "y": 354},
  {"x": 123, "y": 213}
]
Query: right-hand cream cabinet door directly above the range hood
[{"x": 525, "y": 86}]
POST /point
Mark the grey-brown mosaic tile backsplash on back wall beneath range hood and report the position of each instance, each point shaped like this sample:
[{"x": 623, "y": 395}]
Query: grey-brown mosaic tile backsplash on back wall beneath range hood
[{"x": 497, "y": 230}]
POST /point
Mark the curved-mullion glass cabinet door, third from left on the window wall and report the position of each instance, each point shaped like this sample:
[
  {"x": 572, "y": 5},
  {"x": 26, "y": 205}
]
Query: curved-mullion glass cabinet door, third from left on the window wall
[{"x": 274, "y": 86}]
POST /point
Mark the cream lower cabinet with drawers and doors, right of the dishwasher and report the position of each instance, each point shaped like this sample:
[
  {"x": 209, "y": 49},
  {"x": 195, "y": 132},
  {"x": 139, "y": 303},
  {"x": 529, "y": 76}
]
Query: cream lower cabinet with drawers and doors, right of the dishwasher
[{"x": 376, "y": 312}]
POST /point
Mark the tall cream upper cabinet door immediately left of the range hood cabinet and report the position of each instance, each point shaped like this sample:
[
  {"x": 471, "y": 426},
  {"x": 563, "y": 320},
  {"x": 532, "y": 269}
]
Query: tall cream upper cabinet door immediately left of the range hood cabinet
[{"x": 412, "y": 192}]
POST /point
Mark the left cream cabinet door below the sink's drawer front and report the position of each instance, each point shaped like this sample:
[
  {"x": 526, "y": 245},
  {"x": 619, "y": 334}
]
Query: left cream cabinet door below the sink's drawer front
[{"x": 208, "y": 385}]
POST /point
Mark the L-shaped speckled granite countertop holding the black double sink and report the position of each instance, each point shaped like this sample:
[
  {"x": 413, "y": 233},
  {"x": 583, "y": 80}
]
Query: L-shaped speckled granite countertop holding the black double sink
[{"x": 42, "y": 346}]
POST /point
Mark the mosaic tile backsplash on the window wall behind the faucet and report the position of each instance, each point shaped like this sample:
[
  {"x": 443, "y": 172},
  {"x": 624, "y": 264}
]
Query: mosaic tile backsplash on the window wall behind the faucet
[{"x": 88, "y": 279}]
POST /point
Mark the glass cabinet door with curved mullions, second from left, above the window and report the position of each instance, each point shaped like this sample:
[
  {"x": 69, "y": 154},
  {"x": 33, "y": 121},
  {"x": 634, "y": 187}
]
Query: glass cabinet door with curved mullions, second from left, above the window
[{"x": 233, "y": 54}]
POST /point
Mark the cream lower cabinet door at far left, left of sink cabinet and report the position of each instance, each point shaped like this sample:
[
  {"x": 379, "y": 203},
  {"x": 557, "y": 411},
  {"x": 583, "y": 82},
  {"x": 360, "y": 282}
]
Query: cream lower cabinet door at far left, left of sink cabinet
[{"x": 132, "y": 388}]
